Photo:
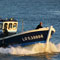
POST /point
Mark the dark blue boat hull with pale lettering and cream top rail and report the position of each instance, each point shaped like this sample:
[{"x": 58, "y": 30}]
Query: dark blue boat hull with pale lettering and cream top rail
[{"x": 26, "y": 38}]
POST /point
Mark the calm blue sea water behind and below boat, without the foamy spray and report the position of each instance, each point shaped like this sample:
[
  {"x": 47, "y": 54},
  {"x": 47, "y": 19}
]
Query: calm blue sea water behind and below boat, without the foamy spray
[{"x": 32, "y": 12}]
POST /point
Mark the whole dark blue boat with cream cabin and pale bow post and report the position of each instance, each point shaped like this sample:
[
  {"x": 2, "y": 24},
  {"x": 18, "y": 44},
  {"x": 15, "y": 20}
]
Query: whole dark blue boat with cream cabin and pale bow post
[{"x": 8, "y": 35}]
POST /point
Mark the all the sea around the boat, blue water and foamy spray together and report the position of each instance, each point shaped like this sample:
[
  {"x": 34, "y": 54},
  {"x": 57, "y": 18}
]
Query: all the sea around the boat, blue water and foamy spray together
[{"x": 32, "y": 12}]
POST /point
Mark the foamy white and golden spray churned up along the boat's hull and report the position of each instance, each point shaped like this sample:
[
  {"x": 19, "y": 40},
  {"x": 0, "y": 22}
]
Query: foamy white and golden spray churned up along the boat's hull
[{"x": 32, "y": 49}]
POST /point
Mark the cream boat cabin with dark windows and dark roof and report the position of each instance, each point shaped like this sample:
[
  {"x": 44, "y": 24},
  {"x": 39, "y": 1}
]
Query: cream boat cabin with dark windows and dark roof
[{"x": 9, "y": 26}]
